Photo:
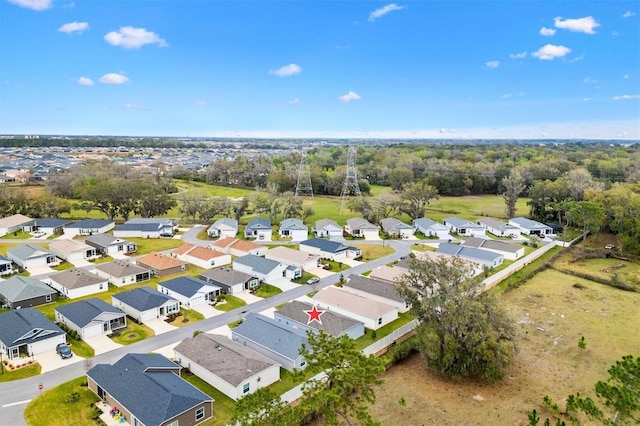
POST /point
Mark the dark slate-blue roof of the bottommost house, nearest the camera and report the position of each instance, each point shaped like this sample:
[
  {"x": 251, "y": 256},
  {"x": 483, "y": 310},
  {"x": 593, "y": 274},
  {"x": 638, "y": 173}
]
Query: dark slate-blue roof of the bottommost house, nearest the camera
[{"x": 146, "y": 385}]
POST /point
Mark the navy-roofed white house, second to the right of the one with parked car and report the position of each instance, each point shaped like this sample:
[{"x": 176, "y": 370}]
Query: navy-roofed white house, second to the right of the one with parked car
[{"x": 144, "y": 303}]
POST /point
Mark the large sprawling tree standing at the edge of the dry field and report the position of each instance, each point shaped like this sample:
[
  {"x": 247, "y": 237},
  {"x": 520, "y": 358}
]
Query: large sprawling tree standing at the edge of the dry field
[{"x": 462, "y": 332}]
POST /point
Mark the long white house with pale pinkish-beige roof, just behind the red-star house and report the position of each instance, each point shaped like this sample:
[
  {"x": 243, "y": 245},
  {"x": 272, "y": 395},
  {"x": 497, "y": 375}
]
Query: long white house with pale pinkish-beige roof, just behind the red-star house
[{"x": 372, "y": 313}]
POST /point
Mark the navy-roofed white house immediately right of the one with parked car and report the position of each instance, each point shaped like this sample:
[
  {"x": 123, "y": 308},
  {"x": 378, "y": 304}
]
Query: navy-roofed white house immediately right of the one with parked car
[{"x": 91, "y": 317}]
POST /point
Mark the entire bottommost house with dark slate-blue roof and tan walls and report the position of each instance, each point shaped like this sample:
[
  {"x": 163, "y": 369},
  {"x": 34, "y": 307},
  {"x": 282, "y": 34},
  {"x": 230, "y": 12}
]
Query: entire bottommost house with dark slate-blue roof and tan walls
[{"x": 147, "y": 390}]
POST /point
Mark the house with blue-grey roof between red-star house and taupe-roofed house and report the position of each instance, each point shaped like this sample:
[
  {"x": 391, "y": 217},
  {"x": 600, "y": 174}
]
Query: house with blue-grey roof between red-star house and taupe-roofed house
[{"x": 272, "y": 339}]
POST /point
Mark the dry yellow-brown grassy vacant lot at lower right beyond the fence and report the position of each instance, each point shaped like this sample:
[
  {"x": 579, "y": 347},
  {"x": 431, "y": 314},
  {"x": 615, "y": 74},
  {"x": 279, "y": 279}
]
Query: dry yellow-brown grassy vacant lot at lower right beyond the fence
[{"x": 551, "y": 315}]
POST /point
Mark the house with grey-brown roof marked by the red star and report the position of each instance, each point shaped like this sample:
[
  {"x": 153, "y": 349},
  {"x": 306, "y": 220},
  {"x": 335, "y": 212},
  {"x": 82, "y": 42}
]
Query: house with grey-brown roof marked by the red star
[{"x": 294, "y": 314}]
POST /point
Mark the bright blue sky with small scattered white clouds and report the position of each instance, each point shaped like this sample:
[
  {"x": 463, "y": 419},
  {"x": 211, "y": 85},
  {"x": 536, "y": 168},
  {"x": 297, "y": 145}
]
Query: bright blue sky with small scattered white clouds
[{"x": 419, "y": 69}]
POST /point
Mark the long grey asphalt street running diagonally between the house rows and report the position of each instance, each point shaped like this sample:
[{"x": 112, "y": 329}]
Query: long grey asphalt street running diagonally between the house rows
[{"x": 15, "y": 395}]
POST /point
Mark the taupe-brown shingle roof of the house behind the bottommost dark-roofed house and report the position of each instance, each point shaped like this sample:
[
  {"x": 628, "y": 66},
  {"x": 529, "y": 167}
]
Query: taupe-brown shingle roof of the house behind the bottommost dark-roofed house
[{"x": 229, "y": 360}]
